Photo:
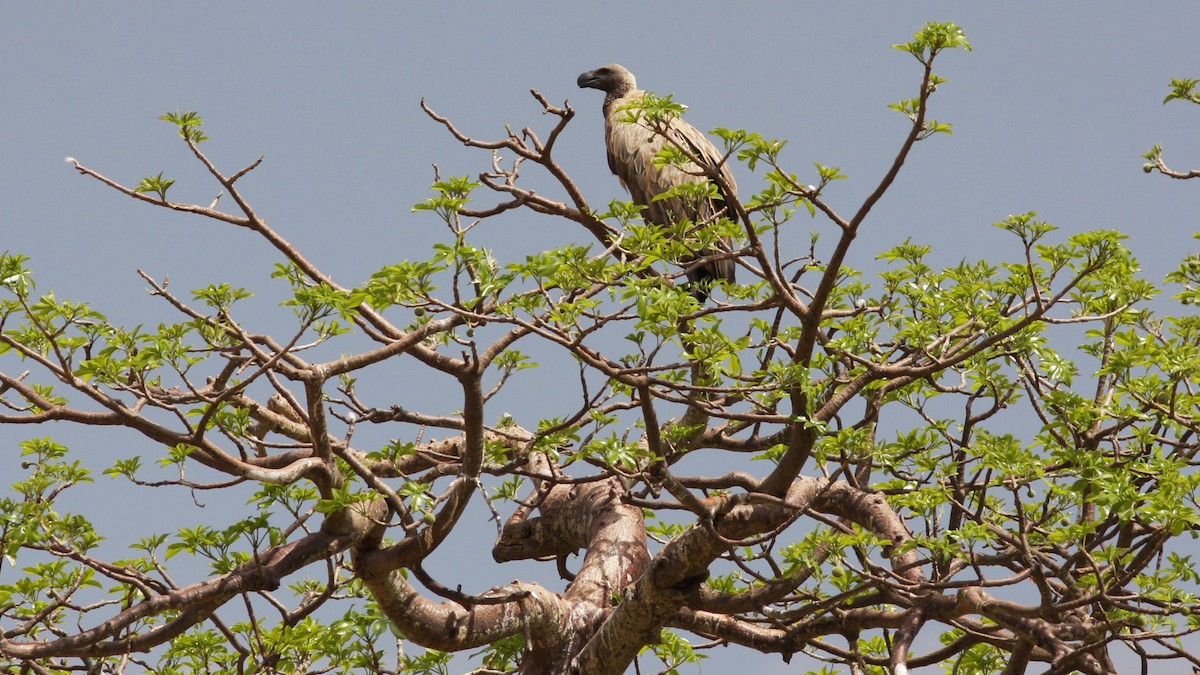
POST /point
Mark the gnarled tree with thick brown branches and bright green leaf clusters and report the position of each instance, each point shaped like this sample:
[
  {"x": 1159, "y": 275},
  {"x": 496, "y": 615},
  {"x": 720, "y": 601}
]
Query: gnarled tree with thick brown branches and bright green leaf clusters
[{"x": 1021, "y": 501}]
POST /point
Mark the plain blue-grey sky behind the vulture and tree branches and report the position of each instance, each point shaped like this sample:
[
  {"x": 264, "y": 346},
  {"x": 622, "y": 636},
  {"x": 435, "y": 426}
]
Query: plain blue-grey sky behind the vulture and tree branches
[{"x": 1051, "y": 114}]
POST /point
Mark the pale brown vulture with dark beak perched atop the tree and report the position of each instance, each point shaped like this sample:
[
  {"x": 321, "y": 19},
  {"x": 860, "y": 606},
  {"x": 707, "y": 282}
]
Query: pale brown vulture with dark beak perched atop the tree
[{"x": 632, "y": 148}]
